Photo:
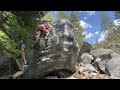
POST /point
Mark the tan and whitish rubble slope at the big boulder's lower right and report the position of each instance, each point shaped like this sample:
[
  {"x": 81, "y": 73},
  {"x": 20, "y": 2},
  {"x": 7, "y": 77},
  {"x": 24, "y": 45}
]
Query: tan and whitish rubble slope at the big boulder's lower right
[{"x": 87, "y": 71}]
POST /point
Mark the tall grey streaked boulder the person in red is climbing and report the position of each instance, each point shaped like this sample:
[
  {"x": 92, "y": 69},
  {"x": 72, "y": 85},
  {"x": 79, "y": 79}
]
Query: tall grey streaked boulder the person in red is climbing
[{"x": 58, "y": 52}]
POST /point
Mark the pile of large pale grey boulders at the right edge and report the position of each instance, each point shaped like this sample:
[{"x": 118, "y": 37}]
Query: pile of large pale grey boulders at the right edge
[{"x": 106, "y": 61}]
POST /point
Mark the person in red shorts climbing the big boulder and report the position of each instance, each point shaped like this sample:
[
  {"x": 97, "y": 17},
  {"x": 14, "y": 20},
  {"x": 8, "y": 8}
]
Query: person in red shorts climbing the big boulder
[{"x": 42, "y": 28}]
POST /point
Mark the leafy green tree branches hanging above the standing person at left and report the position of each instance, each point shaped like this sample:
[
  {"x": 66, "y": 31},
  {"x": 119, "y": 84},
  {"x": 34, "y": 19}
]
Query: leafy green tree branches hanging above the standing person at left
[{"x": 16, "y": 26}]
